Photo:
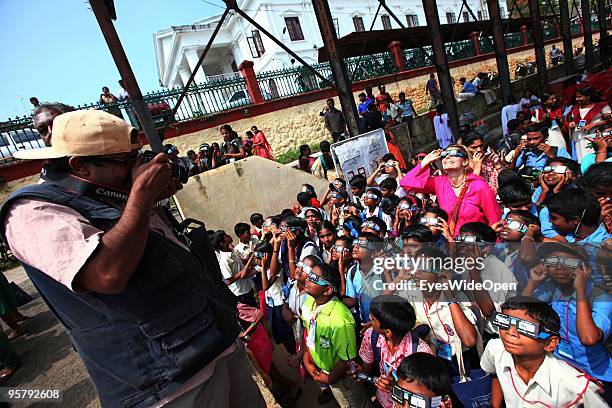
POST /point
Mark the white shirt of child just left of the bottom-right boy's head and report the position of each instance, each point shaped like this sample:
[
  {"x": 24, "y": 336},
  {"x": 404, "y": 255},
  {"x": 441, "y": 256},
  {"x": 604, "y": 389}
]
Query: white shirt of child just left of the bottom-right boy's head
[{"x": 439, "y": 315}]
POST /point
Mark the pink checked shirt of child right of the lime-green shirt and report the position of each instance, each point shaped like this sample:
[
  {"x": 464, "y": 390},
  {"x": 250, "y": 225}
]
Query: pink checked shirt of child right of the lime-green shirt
[{"x": 404, "y": 350}]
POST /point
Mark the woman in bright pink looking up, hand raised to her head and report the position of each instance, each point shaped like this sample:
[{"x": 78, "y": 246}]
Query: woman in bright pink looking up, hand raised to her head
[{"x": 477, "y": 200}]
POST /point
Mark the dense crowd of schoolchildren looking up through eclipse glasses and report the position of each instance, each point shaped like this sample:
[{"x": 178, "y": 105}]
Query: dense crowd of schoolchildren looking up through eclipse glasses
[{"x": 356, "y": 284}]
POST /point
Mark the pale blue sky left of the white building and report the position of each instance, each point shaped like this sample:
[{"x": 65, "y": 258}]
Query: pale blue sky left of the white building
[{"x": 54, "y": 50}]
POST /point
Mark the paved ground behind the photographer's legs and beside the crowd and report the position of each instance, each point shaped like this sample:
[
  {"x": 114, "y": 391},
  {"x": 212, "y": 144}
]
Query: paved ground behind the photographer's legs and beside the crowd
[{"x": 50, "y": 362}]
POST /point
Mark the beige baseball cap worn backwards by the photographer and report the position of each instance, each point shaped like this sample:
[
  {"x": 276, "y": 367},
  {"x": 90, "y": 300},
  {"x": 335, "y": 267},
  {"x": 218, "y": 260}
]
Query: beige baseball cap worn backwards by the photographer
[{"x": 85, "y": 133}]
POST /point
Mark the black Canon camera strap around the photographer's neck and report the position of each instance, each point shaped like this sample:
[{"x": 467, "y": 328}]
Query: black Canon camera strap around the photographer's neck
[{"x": 87, "y": 188}]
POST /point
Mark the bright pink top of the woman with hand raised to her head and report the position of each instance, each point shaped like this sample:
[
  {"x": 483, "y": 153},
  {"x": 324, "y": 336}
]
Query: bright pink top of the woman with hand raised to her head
[{"x": 478, "y": 205}]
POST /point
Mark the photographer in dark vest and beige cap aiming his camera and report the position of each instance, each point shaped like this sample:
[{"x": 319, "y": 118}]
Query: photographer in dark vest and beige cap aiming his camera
[{"x": 147, "y": 314}]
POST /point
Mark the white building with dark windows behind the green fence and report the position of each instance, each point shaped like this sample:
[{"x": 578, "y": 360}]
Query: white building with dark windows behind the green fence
[{"x": 178, "y": 48}]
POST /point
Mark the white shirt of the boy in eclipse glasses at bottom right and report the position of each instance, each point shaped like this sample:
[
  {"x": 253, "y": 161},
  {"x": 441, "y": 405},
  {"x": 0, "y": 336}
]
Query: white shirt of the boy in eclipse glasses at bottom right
[{"x": 556, "y": 383}]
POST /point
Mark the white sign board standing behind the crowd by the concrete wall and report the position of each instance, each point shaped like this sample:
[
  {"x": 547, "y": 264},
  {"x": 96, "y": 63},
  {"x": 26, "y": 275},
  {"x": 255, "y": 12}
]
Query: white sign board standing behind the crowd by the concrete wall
[{"x": 360, "y": 155}]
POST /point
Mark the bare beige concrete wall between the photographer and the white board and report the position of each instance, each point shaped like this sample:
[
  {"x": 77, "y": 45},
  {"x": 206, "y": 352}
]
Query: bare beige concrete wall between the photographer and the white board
[{"x": 228, "y": 195}]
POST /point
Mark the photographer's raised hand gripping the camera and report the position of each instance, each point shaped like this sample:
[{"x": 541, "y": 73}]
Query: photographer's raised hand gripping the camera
[{"x": 154, "y": 180}]
